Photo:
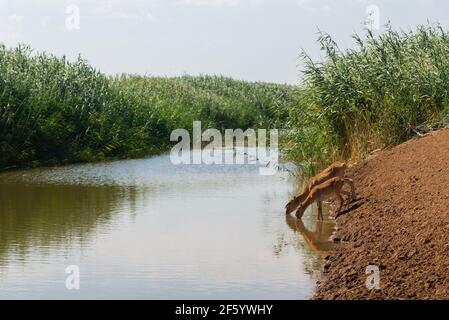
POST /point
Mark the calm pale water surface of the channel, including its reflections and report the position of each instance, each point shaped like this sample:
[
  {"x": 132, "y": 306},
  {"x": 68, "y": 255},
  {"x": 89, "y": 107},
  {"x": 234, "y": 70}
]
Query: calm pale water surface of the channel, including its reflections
[{"x": 149, "y": 229}]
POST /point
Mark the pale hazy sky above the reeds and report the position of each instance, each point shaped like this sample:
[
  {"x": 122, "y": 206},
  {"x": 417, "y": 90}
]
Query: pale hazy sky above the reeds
[{"x": 255, "y": 40}]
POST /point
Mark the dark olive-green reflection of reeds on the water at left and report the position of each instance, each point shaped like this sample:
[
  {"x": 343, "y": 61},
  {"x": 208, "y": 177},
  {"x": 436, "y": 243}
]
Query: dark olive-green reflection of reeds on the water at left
[{"x": 53, "y": 217}]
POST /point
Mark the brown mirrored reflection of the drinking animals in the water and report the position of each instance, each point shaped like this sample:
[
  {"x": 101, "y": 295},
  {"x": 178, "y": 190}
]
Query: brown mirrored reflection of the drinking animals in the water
[{"x": 319, "y": 240}]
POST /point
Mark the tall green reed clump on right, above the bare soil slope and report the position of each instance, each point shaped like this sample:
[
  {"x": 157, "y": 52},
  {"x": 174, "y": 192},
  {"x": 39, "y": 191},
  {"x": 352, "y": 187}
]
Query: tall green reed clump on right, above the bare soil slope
[{"x": 370, "y": 97}]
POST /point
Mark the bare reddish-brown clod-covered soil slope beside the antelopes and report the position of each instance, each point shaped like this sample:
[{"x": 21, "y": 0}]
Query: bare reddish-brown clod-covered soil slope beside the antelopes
[{"x": 399, "y": 222}]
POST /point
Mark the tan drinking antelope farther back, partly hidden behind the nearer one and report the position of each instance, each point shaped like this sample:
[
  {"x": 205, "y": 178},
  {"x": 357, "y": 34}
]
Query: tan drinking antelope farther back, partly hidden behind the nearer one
[{"x": 337, "y": 169}]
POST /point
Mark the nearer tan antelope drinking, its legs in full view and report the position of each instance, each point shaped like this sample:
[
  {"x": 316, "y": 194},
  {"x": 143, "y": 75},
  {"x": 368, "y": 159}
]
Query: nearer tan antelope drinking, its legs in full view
[{"x": 324, "y": 191}]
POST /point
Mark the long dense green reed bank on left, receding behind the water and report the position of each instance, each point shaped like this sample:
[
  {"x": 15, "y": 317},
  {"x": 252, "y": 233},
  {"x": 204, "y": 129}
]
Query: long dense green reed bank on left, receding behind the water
[{"x": 54, "y": 111}]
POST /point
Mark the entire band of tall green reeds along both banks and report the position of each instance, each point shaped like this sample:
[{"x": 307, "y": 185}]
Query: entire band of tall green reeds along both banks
[{"x": 353, "y": 102}]
